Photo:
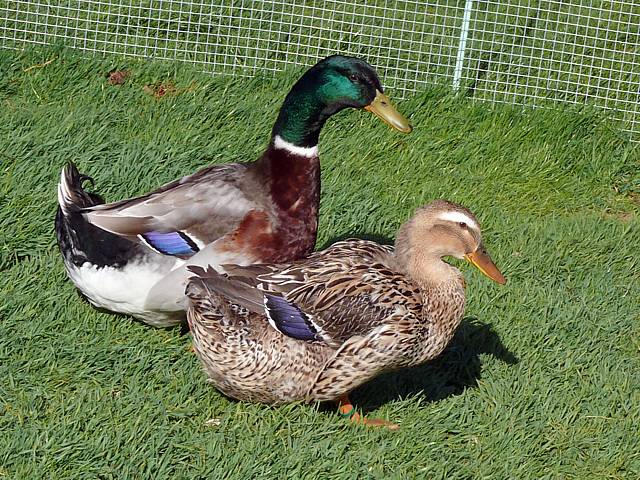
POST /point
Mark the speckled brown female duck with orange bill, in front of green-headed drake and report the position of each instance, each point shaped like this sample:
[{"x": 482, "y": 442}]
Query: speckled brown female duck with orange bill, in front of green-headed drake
[{"x": 315, "y": 329}]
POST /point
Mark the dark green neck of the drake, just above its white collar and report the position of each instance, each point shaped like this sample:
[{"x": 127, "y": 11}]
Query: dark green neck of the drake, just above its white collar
[{"x": 302, "y": 116}]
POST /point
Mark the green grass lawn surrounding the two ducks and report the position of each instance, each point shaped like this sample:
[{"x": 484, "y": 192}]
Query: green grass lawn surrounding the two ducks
[{"x": 541, "y": 380}]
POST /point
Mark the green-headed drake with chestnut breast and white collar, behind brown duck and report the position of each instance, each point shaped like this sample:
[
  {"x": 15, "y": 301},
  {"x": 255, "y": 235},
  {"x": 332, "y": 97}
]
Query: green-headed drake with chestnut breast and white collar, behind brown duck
[{"x": 131, "y": 256}]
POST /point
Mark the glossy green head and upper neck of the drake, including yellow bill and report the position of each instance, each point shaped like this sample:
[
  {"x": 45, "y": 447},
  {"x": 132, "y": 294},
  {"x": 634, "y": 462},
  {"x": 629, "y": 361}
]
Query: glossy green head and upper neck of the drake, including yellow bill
[{"x": 335, "y": 83}]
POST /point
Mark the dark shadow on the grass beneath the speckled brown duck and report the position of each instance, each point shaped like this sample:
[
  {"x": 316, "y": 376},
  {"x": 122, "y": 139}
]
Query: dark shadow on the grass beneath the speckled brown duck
[{"x": 459, "y": 367}]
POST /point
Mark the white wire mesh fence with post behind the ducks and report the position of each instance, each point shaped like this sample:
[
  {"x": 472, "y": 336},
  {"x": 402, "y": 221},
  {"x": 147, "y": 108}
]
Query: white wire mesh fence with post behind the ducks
[{"x": 516, "y": 51}]
